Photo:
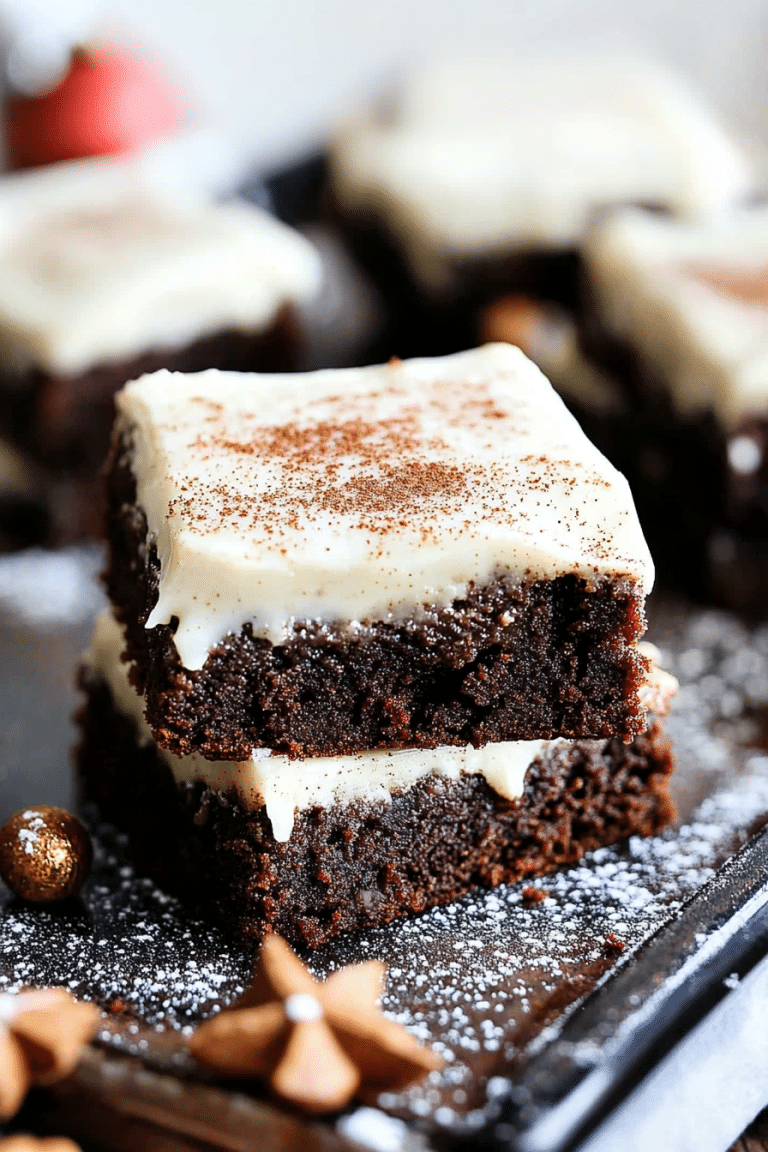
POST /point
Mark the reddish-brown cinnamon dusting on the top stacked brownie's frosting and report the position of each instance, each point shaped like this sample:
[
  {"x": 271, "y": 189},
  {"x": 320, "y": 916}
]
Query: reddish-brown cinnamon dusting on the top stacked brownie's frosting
[{"x": 379, "y": 475}]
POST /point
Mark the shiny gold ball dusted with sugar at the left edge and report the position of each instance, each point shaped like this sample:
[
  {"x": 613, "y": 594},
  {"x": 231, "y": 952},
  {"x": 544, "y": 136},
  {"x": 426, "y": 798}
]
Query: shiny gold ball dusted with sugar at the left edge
[{"x": 45, "y": 854}]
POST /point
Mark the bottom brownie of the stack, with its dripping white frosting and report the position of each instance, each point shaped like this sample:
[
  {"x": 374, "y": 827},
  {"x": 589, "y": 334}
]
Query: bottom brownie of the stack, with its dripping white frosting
[{"x": 313, "y": 850}]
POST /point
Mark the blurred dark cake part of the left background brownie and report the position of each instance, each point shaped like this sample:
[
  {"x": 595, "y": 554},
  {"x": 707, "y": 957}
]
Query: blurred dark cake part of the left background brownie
[{"x": 65, "y": 422}]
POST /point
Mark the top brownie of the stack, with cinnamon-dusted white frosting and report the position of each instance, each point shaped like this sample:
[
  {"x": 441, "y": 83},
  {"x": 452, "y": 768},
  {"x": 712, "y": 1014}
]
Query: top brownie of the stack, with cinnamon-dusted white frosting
[{"x": 417, "y": 555}]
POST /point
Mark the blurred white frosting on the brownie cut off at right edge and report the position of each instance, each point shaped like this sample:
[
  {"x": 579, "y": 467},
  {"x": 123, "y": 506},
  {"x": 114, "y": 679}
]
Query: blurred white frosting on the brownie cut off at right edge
[{"x": 693, "y": 300}]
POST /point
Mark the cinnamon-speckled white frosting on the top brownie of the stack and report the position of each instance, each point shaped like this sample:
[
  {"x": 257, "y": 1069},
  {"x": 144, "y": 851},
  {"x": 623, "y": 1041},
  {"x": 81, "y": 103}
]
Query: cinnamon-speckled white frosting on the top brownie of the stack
[{"x": 366, "y": 495}]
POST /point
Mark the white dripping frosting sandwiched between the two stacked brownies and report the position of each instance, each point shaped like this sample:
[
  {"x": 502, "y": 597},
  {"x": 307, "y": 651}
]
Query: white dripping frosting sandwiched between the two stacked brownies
[{"x": 286, "y": 786}]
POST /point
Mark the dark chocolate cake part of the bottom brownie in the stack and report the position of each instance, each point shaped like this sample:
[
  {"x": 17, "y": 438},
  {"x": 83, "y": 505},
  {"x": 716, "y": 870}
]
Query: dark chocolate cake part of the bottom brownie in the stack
[{"x": 366, "y": 865}]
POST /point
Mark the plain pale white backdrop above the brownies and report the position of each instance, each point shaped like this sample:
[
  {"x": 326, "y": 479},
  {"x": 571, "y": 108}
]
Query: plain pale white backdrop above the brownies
[{"x": 279, "y": 73}]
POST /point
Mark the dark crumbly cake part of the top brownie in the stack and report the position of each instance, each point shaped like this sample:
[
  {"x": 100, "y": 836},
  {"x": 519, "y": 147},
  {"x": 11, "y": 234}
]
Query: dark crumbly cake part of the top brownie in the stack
[{"x": 544, "y": 660}]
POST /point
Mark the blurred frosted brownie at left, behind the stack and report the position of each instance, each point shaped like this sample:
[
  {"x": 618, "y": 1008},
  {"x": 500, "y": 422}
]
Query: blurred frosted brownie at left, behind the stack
[{"x": 107, "y": 274}]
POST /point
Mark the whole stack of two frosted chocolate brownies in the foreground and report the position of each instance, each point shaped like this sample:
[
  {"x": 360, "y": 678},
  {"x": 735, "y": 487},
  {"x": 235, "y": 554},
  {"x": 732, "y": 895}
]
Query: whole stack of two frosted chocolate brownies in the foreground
[{"x": 374, "y": 641}]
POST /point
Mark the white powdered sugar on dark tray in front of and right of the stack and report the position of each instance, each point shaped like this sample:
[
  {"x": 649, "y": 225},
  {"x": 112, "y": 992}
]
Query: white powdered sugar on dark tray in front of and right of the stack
[{"x": 483, "y": 980}]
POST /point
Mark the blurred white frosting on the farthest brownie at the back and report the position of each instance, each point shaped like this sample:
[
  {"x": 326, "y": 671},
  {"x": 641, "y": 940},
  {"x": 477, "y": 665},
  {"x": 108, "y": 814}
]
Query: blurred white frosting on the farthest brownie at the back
[{"x": 498, "y": 156}]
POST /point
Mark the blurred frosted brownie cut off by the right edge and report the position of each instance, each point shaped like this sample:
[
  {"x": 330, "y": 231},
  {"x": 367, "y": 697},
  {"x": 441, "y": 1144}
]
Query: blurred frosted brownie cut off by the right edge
[{"x": 676, "y": 316}]
